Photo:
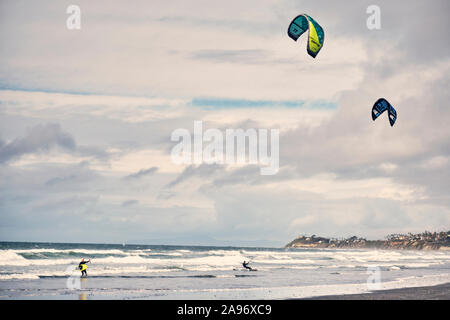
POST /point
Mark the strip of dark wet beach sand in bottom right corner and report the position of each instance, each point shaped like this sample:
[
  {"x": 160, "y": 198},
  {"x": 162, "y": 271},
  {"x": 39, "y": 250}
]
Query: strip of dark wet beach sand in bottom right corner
[{"x": 439, "y": 292}]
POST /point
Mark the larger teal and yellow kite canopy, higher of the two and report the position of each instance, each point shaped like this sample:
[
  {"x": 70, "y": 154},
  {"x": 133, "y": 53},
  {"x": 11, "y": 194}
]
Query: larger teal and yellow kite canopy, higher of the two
[{"x": 316, "y": 35}]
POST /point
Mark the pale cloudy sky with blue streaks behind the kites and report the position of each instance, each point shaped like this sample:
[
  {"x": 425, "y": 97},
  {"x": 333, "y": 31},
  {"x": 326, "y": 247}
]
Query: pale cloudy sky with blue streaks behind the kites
[{"x": 86, "y": 118}]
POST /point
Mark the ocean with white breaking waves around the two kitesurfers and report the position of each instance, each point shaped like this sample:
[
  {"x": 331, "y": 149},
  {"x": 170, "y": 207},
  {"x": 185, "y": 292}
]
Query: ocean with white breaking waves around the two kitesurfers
[{"x": 49, "y": 271}]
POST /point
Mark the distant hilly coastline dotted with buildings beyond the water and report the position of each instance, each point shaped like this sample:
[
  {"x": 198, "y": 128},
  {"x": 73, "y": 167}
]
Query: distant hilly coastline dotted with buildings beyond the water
[{"x": 422, "y": 241}]
